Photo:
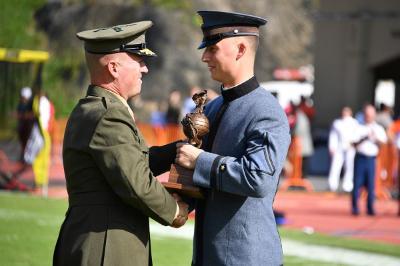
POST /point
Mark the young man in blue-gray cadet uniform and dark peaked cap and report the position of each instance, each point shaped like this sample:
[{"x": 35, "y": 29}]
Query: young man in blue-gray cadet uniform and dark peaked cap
[{"x": 244, "y": 151}]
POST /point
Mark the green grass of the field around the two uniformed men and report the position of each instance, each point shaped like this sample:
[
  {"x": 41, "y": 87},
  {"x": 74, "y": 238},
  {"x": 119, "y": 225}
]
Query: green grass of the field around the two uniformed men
[{"x": 29, "y": 228}]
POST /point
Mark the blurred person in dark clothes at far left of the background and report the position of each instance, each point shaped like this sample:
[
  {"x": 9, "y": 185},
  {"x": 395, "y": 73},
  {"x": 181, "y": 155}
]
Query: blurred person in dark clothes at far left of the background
[{"x": 25, "y": 118}]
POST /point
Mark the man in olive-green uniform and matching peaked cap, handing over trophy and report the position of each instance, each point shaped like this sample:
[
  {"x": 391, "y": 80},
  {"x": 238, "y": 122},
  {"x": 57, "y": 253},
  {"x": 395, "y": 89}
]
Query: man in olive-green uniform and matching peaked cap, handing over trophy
[{"x": 108, "y": 167}]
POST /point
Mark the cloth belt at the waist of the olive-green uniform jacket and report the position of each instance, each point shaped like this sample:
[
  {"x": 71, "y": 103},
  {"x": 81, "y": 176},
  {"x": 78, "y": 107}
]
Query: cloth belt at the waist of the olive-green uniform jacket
[{"x": 94, "y": 198}]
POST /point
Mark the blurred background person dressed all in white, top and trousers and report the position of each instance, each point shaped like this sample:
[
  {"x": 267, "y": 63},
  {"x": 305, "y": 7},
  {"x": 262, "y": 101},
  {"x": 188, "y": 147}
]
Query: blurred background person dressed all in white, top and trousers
[{"x": 341, "y": 150}]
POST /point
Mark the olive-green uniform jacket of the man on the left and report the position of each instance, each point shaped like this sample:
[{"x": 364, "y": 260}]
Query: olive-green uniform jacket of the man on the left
[{"x": 111, "y": 189}]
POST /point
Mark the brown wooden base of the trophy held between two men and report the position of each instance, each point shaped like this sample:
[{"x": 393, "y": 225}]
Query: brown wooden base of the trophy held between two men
[{"x": 180, "y": 180}]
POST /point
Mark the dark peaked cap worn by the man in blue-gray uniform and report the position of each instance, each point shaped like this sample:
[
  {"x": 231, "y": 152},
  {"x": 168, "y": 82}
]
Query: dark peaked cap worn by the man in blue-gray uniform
[{"x": 218, "y": 25}]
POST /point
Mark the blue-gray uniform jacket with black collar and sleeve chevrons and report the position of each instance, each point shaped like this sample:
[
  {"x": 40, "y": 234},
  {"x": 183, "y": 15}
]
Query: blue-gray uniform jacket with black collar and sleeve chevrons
[{"x": 235, "y": 224}]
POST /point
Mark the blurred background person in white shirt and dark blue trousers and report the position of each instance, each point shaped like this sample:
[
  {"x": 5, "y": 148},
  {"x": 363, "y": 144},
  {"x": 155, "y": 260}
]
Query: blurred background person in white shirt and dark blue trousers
[{"x": 368, "y": 138}]
